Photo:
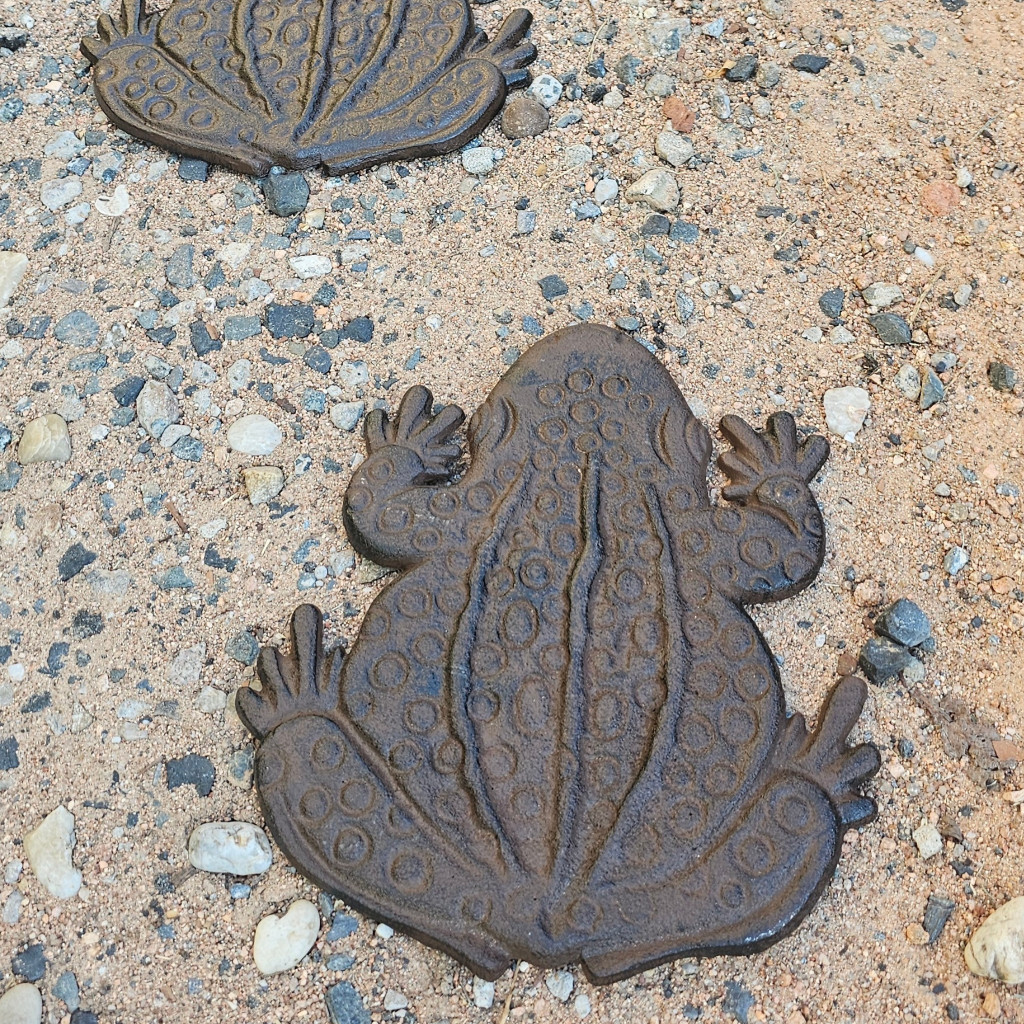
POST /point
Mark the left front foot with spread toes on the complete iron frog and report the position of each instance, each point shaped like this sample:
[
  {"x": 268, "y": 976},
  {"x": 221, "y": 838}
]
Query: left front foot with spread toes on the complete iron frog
[{"x": 416, "y": 431}]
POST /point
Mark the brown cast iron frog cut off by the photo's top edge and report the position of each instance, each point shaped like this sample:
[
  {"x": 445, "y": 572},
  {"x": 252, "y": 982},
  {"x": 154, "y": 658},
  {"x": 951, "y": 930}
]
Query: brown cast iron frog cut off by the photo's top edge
[{"x": 347, "y": 84}]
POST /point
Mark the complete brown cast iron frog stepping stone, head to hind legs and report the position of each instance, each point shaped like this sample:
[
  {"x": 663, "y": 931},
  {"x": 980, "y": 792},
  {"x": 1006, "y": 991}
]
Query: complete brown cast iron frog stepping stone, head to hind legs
[{"x": 559, "y": 737}]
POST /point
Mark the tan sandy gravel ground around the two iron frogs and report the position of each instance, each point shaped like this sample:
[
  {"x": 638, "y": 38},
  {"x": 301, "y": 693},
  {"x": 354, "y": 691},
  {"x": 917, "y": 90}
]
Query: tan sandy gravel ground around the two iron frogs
[{"x": 916, "y": 93}]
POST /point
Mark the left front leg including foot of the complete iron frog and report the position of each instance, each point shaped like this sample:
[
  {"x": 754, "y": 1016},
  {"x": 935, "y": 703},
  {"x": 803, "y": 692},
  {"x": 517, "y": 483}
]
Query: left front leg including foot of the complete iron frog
[{"x": 396, "y": 508}]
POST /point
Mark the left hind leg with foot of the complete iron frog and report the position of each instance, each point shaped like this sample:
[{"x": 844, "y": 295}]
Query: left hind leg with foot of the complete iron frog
[{"x": 329, "y": 805}]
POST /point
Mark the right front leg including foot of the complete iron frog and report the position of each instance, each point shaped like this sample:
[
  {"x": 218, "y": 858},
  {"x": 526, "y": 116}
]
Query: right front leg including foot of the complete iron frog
[{"x": 770, "y": 542}]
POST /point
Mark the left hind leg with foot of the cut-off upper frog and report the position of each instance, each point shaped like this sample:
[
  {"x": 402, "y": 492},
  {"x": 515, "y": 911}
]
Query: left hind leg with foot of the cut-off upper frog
[{"x": 151, "y": 98}]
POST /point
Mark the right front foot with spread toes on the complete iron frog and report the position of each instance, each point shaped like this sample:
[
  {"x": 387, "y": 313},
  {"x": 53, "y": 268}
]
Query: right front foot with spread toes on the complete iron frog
[{"x": 771, "y": 470}]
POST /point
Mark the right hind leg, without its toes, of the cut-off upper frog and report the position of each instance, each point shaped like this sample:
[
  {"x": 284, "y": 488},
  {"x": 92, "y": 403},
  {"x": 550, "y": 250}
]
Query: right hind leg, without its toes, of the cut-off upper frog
[{"x": 451, "y": 113}]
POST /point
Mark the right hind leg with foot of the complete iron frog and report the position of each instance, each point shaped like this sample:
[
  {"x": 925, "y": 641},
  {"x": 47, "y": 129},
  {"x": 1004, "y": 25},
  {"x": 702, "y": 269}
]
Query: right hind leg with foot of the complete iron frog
[{"x": 766, "y": 873}]
